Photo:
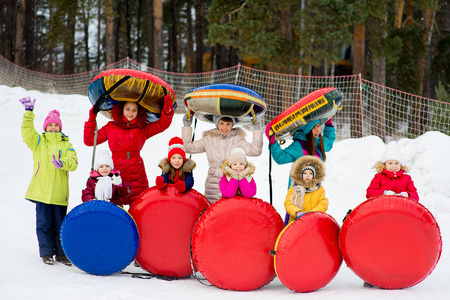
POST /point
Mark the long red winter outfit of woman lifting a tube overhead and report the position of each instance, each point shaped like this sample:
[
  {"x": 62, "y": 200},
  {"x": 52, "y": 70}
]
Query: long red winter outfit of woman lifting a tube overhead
[{"x": 125, "y": 140}]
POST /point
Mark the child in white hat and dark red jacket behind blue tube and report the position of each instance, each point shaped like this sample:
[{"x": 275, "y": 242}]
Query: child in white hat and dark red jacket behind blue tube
[{"x": 104, "y": 182}]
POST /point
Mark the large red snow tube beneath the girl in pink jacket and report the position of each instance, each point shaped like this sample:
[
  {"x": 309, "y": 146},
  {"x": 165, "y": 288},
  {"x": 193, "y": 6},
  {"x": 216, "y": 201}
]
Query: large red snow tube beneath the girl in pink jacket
[{"x": 232, "y": 240}]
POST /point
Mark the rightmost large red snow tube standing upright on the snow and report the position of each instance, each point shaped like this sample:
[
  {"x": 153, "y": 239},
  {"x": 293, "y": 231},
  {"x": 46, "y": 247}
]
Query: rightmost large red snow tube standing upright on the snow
[{"x": 391, "y": 242}]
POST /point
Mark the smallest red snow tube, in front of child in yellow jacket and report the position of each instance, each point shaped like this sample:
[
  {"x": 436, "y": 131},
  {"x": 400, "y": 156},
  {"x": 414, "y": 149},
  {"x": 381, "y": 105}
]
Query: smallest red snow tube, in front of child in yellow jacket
[{"x": 307, "y": 252}]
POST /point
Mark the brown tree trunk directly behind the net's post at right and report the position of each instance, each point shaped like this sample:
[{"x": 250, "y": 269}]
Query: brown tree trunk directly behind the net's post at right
[{"x": 358, "y": 68}]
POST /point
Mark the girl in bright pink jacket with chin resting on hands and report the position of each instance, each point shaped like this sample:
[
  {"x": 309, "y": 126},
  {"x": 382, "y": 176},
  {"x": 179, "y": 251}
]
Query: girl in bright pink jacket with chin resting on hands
[{"x": 237, "y": 176}]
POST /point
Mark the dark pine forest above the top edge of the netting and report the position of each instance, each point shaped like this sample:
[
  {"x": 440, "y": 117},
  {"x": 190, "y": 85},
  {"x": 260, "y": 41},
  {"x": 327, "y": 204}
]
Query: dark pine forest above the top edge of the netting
[{"x": 403, "y": 44}]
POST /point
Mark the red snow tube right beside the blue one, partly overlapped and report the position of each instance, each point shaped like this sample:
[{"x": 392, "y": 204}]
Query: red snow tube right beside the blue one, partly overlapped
[{"x": 165, "y": 220}]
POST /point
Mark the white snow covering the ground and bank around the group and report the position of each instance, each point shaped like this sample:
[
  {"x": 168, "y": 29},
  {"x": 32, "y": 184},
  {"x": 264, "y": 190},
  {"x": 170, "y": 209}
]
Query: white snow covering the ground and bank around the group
[{"x": 24, "y": 276}]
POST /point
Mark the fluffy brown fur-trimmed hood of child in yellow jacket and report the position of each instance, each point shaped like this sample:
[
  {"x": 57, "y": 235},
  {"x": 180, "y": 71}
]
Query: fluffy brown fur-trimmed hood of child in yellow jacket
[{"x": 307, "y": 160}]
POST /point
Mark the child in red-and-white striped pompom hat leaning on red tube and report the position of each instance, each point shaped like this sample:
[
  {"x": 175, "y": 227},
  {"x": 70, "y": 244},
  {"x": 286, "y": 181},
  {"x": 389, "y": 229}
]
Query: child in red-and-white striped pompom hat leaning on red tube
[{"x": 176, "y": 168}]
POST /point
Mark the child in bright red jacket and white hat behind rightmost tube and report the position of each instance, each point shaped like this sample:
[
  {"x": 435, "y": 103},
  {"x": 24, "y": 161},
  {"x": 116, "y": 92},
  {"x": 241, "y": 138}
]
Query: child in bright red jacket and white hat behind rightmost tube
[{"x": 391, "y": 177}]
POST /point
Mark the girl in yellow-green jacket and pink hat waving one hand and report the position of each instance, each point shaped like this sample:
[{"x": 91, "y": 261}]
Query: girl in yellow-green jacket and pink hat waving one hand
[{"x": 53, "y": 158}]
